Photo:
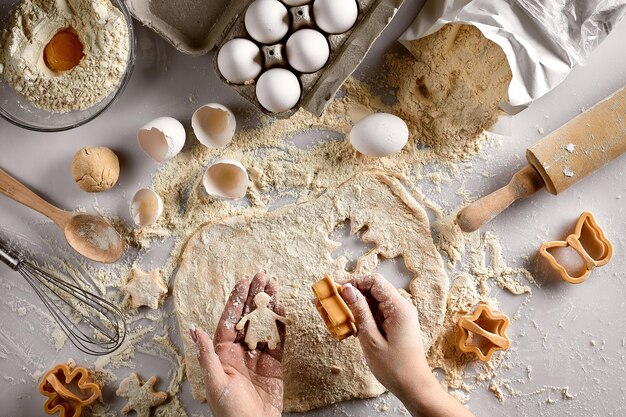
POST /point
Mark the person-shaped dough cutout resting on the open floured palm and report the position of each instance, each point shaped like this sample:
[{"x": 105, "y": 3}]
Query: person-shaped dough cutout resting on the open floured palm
[{"x": 262, "y": 324}]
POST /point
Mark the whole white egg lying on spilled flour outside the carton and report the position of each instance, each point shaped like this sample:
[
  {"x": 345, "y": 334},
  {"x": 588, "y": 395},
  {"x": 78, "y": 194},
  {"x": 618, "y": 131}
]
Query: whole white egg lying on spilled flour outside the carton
[{"x": 379, "y": 134}]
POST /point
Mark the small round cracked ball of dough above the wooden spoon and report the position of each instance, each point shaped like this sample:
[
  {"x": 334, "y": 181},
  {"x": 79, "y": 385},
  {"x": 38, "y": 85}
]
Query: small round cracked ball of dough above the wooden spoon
[{"x": 95, "y": 169}]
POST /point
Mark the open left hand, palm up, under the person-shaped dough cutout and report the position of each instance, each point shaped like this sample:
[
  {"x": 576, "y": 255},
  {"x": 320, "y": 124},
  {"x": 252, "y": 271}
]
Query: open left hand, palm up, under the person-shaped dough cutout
[{"x": 241, "y": 382}]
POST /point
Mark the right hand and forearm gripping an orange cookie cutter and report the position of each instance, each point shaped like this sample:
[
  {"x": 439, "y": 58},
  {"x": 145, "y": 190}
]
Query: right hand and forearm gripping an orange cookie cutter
[{"x": 391, "y": 339}]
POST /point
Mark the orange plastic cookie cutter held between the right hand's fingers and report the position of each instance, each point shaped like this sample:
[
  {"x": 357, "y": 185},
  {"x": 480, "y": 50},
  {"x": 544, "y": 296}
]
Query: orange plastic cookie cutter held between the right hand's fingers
[{"x": 335, "y": 312}]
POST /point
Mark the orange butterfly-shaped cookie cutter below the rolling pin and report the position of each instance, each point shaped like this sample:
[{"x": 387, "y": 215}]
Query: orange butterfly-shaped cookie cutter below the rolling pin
[{"x": 589, "y": 241}]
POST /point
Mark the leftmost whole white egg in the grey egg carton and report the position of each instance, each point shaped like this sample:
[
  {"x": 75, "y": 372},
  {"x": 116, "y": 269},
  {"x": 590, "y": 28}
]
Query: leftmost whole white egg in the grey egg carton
[{"x": 240, "y": 60}]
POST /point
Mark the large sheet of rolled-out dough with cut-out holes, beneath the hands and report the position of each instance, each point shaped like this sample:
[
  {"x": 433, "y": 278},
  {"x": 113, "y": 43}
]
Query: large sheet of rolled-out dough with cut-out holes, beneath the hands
[{"x": 293, "y": 244}]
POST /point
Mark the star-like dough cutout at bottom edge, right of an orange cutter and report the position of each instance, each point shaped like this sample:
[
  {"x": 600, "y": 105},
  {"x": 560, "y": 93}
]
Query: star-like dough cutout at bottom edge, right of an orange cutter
[{"x": 141, "y": 396}]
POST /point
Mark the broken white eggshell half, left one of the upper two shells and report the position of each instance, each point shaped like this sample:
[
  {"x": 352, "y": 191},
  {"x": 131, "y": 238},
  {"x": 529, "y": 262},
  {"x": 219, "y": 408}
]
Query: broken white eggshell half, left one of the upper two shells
[{"x": 162, "y": 138}]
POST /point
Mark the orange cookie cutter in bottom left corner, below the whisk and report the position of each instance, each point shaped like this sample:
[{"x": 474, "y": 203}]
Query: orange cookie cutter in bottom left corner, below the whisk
[{"x": 68, "y": 390}]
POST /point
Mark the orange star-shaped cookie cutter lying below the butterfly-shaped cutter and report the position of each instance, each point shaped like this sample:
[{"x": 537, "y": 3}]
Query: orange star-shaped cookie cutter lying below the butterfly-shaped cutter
[{"x": 482, "y": 332}]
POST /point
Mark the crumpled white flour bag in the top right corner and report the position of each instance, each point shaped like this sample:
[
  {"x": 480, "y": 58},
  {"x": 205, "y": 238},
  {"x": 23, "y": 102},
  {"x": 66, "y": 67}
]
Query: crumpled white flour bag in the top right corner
[{"x": 542, "y": 39}]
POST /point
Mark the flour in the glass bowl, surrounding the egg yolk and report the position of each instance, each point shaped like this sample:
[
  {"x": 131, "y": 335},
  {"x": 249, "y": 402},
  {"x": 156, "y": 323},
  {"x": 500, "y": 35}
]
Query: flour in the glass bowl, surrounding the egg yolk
[{"x": 100, "y": 27}]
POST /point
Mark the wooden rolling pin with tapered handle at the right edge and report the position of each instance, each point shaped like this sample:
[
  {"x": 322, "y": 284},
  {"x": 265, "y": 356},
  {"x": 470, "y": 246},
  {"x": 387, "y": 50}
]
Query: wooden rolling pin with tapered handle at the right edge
[{"x": 562, "y": 158}]
